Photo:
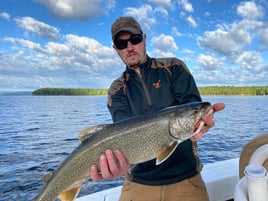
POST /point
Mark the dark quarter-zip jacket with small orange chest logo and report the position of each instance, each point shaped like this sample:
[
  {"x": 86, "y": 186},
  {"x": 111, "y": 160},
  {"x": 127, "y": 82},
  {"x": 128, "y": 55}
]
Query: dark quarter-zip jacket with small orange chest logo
[{"x": 163, "y": 82}]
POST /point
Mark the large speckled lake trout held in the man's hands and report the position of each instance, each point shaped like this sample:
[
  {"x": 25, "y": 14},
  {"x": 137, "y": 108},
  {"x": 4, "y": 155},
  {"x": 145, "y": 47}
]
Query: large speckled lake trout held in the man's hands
[{"x": 141, "y": 138}]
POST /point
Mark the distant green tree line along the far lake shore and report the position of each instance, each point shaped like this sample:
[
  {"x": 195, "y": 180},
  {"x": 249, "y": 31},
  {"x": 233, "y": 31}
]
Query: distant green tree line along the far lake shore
[{"x": 210, "y": 90}]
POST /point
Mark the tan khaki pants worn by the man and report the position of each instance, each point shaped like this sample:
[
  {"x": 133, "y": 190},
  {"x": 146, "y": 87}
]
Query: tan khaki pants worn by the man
[{"x": 192, "y": 189}]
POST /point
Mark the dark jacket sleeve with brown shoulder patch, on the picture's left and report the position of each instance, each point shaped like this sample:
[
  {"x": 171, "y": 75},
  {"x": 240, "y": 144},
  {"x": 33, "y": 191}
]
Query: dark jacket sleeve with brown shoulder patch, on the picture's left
[{"x": 118, "y": 103}]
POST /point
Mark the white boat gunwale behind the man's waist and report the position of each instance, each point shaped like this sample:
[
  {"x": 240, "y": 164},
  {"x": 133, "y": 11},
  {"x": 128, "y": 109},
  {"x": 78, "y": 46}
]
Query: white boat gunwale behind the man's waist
[{"x": 220, "y": 178}]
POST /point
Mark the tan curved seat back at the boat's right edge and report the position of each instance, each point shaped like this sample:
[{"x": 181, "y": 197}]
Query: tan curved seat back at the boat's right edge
[{"x": 249, "y": 149}]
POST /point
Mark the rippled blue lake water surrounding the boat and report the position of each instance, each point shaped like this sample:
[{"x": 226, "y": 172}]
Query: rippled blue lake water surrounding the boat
[{"x": 38, "y": 132}]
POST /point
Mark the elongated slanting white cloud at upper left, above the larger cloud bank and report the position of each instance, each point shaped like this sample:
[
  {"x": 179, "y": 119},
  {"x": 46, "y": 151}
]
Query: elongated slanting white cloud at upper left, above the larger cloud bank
[{"x": 42, "y": 29}]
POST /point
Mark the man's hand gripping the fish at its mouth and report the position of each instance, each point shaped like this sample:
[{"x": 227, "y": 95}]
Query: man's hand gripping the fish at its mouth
[{"x": 208, "y": 121}]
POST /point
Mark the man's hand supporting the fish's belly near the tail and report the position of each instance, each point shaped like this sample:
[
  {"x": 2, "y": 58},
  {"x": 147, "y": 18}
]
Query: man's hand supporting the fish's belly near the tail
[{"x": 111, "y": 166}]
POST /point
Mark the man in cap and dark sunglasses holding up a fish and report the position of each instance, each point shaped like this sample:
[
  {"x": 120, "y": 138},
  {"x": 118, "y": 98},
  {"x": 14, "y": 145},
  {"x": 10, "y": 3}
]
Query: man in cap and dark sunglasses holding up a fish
[{"x": 149, "y": 84}]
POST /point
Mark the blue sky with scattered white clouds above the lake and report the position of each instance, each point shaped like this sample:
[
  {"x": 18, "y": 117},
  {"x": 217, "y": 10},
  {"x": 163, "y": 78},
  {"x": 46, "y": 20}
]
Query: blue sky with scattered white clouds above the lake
[{"x": 67, "y": 43}]
